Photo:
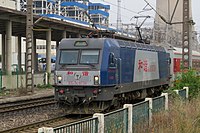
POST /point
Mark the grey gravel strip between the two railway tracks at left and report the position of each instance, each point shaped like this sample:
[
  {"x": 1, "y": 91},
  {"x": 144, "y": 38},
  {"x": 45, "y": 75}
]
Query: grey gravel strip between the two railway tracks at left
[{"x": 24, "y": 117}]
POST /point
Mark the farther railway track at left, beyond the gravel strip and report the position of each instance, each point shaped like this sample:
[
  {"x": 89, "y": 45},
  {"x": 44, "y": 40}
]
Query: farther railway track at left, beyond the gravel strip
[{"x": 26, "y": 104}]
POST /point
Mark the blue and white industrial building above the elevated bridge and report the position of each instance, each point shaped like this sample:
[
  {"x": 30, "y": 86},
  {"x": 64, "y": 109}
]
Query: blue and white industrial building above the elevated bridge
[{"x": 78, "y": 11}]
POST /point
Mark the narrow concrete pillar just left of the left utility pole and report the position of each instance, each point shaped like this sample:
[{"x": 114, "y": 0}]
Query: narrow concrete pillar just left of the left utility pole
[{"x": 19, "y": 53}]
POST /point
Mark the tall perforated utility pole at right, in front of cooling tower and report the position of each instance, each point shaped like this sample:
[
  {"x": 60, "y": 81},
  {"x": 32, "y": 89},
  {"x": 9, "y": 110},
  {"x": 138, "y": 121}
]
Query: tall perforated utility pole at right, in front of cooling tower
[{"x": 186, "y": 35}]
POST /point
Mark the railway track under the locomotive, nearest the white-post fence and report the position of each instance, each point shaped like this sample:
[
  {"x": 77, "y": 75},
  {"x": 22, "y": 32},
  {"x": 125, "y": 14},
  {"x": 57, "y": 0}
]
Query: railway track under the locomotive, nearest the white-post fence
[{"x": 33, "y": 128}]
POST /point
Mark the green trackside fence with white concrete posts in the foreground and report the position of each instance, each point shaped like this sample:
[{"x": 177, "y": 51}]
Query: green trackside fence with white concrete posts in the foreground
[{"x": 126, "y": 120}]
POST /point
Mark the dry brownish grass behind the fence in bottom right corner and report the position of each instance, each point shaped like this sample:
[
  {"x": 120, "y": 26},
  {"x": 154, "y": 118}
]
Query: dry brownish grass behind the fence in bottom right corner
[{"x": 182, "y": 117}]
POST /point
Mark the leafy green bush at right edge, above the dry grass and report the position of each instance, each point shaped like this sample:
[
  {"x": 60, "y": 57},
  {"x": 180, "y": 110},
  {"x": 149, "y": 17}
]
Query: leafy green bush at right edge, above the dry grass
[{"x": 188, "y": 79}]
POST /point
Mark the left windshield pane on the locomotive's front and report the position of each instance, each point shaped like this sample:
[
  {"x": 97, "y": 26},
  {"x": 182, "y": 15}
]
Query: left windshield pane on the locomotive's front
[{"x": 69, "y": 57}]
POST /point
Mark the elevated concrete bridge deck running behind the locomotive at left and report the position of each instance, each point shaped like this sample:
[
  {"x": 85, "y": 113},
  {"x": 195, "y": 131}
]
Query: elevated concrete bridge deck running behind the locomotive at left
[{"x": 18, "y": 19}]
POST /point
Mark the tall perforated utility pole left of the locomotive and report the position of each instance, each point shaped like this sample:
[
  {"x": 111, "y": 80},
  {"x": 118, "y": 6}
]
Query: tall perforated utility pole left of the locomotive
[{"x": 29, "y": 47}]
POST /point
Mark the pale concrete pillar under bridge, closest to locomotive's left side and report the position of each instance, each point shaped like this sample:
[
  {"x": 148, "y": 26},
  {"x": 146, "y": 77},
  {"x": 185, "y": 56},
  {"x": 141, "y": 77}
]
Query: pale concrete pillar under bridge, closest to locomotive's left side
[{"x": 48, "y": 51}]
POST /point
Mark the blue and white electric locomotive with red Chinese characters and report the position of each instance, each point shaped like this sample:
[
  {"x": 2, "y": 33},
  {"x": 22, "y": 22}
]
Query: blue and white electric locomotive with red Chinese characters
[{"x": 93, "y": 74}]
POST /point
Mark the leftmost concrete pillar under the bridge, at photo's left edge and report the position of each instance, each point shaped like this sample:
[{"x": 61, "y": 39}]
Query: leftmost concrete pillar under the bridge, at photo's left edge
[{"x": 3, "y": 56}]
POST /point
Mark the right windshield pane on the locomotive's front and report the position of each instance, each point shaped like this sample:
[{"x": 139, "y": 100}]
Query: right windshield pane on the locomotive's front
[{"x": 89, "y": 57}]
